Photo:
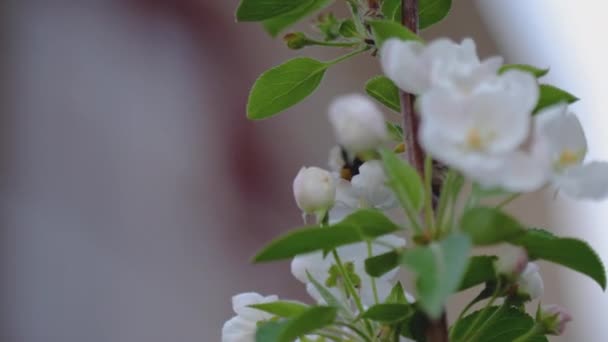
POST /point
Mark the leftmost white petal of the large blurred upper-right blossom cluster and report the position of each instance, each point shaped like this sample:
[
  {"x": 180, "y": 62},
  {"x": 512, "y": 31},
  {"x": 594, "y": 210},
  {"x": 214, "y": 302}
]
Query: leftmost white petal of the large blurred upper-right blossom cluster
[{"x": 401, "y": 63}]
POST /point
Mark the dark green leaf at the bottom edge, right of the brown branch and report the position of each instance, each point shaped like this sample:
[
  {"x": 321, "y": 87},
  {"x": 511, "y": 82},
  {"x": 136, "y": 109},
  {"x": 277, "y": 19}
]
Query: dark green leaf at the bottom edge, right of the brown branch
[{"x": 509, "y": 324}]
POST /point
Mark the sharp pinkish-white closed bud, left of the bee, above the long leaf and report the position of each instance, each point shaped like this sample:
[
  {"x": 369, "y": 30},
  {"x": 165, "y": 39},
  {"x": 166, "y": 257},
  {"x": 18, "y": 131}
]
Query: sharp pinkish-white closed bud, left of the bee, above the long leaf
[{"x": 314, "y": 190}]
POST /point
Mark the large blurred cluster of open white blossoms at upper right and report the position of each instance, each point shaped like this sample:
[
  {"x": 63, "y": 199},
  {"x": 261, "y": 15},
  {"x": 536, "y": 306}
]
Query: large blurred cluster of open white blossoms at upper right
[{"x": 483, "y": 123}]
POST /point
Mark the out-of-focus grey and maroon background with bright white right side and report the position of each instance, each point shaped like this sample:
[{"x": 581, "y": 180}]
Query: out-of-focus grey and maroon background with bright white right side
[{"x": 134, "y": 190}]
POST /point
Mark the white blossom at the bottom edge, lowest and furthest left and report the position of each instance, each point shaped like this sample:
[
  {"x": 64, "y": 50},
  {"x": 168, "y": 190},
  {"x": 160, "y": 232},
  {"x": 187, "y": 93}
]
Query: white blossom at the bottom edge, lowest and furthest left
[{"x": 243, "y": 326}]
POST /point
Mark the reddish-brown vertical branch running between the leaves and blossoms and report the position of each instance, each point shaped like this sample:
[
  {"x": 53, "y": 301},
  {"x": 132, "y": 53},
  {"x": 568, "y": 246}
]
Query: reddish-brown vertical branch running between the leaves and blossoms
[{"x": 436, "y": 331}]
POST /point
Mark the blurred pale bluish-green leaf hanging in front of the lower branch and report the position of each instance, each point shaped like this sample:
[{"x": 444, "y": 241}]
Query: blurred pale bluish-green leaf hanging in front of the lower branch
[{"x": 439, "y": 269}]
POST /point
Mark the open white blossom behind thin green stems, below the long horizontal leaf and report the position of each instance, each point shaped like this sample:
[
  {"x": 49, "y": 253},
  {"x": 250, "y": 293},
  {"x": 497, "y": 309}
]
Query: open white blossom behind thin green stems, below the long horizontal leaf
[{"x": 319, "y": 268}]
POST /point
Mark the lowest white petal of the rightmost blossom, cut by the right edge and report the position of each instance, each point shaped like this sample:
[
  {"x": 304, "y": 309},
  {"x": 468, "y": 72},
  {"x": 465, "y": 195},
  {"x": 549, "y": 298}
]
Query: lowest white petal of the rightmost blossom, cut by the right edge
[{"x": 589, "y": 181}]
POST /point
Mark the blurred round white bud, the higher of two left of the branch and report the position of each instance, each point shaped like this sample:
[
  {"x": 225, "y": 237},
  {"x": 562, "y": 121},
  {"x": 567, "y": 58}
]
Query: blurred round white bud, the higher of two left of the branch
[{"x": 358, "y": 124}]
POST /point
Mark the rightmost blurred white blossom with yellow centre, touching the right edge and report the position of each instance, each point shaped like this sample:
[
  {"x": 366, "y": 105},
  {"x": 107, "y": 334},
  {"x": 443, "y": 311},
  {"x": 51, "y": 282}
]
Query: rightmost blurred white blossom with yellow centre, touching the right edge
[{"x": 568, "y": 148}]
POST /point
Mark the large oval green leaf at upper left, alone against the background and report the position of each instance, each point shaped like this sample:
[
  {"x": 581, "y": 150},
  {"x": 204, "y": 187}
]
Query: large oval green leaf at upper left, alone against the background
[{"x": 284, "y": 86}]
